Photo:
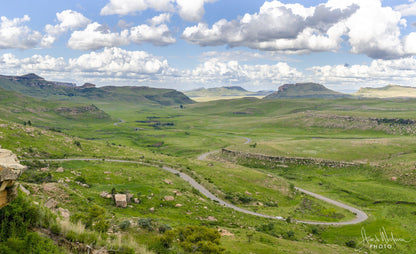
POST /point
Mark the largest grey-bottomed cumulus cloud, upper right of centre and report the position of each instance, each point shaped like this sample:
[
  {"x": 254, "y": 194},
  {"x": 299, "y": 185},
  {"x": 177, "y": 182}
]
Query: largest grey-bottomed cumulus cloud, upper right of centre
[{"x": 289, "y": 28}]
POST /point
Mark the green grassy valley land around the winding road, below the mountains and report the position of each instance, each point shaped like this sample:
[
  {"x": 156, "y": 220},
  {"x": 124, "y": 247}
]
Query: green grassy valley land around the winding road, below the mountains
[{"x": 368, "y": 147}]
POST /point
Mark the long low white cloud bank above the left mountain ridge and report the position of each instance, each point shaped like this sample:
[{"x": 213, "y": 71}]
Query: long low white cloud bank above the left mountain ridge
[{"x": 109, "y": 62}]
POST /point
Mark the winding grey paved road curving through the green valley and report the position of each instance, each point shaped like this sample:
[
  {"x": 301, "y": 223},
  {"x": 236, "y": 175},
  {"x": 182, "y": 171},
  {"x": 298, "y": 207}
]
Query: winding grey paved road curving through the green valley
[{"x": 361, "y": 216}]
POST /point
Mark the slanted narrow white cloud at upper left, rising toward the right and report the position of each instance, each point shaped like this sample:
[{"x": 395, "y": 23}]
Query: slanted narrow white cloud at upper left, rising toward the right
[{"x": 68, "y": 20}]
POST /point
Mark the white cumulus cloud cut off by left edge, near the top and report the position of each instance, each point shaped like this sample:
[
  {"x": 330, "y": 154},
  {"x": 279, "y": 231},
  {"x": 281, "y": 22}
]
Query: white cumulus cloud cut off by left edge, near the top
[{"x": 13, "y": 34}]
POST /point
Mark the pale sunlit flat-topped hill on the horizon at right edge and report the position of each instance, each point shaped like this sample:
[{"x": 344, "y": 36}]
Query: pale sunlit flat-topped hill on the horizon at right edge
[{"x": 389, "y": 91}]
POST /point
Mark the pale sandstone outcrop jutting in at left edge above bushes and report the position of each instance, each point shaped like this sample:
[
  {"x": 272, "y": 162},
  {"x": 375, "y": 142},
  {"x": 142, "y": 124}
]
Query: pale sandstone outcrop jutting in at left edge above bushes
[{"x": 10, "y": 170}]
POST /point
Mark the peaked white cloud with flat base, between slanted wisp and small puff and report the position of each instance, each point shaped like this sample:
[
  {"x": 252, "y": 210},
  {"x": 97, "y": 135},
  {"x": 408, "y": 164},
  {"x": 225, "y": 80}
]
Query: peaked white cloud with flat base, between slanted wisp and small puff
[{"x": 96, "y": 36}]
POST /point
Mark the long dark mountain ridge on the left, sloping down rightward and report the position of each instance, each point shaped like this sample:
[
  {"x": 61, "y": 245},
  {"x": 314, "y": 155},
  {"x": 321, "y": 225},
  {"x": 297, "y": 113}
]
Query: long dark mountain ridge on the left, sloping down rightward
[{"x": 35, "y": 86}]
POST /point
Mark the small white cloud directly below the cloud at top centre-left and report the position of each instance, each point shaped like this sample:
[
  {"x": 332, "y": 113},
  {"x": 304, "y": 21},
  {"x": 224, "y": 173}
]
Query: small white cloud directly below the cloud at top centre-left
[{"x": 156, "y": 35}]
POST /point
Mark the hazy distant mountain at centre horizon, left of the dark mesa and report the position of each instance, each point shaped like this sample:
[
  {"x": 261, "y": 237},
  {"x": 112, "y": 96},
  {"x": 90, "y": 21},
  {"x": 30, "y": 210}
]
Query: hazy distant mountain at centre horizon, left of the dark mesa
[{"x": 225, "y": 91}]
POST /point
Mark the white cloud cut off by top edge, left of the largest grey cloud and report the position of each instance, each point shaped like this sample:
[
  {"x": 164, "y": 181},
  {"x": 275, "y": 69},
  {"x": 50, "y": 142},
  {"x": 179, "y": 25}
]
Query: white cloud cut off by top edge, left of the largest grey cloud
[{"x": 190, "y": 10}]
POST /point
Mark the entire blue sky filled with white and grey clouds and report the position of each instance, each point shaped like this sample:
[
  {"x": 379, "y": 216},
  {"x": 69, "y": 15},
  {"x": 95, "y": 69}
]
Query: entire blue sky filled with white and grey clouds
[{"x": 188, "y": 44}]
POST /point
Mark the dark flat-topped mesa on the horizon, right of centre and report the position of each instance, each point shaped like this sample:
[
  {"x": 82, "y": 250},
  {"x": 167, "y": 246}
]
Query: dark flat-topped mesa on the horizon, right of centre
[{"x": 304, "y": 90}]
